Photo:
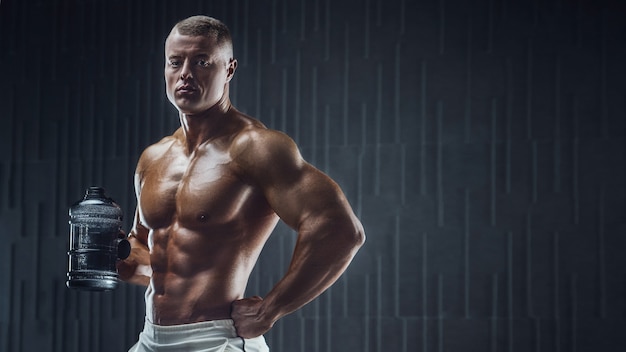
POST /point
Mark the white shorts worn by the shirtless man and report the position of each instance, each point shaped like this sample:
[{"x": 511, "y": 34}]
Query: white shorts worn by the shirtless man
[{"x": 206, "y": 336}]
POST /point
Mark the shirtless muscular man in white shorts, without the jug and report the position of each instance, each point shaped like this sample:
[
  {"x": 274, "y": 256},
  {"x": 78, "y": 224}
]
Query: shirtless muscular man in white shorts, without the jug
[{"x": 208, "y": 197}]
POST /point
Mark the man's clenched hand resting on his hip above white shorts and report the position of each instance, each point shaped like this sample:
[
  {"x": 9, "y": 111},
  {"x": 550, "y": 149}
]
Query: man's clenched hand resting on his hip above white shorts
[{"x": 248, "y": 317}]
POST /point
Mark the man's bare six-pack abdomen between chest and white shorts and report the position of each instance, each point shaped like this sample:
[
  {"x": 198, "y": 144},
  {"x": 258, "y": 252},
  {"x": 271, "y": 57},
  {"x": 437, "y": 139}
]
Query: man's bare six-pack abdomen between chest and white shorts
[{"x": 196, "y": 275}]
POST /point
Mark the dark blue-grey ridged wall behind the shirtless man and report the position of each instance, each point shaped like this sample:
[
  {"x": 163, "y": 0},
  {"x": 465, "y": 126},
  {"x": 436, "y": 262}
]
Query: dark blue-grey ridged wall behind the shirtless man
[{"x": 481, "y": 142}]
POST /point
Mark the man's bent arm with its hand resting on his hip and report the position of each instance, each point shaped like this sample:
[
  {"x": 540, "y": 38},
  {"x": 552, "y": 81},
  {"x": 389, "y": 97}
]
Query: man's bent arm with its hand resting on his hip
[{"x": 329, "y": 234}]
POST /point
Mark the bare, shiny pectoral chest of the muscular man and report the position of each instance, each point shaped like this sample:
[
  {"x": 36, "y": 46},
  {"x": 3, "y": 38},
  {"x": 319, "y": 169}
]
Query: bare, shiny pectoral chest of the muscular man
[{"x": 199, "y": 191}]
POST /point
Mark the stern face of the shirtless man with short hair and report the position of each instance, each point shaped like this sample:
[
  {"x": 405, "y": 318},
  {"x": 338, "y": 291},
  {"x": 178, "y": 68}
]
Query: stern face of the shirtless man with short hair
[{"x": 196, "y": 72}]
